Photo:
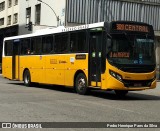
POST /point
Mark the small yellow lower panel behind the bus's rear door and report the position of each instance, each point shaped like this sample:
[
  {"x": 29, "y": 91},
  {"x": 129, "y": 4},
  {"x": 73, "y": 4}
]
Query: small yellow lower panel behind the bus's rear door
[{"x": 7, "y": 67}]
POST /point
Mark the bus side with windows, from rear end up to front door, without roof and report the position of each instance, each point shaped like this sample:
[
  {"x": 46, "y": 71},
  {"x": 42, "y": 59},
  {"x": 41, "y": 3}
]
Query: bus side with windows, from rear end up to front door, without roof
[{"x": 46, "y": 58}]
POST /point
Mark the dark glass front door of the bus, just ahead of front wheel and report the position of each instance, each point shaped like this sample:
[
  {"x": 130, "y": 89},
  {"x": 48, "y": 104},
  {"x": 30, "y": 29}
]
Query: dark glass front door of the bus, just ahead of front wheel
[{"x": 95, "y": 59}]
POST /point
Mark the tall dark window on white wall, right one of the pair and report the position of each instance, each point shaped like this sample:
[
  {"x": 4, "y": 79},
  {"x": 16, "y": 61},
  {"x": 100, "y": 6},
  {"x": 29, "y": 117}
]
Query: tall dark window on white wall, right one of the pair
[{"x": 38, "y": 14}]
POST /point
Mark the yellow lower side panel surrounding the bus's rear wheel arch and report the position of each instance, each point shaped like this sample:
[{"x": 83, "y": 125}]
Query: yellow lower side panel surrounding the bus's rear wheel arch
[{"x": 35, "y": 64}]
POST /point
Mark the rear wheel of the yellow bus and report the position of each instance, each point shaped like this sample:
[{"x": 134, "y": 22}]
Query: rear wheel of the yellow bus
[{"x": 27, "y": 78}]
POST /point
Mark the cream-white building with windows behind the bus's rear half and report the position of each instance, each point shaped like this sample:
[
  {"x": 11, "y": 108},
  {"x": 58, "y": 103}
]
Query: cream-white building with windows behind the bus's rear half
[{"x": 16, "y": 14}]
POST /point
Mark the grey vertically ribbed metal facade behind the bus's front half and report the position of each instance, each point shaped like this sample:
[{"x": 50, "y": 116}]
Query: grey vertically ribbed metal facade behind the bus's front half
[{"x": 91, "y": 11}]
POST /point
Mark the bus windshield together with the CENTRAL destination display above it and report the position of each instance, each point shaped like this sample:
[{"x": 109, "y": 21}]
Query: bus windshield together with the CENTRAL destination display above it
[{"x": 131, "y": 48}]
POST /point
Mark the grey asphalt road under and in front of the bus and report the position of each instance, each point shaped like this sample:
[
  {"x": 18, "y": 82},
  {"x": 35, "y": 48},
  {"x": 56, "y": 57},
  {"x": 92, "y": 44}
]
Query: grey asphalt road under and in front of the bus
[{"x": 59, "y": 104}]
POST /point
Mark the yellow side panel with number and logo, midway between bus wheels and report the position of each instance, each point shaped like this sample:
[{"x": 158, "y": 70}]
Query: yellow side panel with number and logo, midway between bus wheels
[{"x": 54, "y": 69}]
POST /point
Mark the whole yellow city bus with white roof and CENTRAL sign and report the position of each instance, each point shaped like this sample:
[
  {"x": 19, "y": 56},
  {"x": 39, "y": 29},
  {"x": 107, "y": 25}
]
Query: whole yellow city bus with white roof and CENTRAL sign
[{"x": 117, "y": 55}]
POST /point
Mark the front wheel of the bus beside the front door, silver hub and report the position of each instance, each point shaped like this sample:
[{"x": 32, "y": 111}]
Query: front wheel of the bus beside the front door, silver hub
[{"x": 81, "y": 84}]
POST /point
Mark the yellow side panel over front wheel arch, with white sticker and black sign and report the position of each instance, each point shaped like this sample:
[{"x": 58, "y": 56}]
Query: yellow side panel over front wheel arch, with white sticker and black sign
[{"x": 74, "y": 64}]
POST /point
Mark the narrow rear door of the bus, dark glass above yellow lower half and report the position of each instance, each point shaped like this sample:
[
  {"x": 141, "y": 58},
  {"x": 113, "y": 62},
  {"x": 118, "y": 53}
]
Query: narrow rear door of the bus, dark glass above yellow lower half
[{"x": 15, "y": 60}]
